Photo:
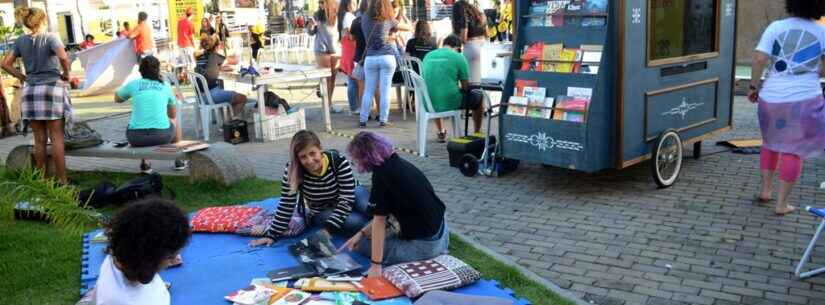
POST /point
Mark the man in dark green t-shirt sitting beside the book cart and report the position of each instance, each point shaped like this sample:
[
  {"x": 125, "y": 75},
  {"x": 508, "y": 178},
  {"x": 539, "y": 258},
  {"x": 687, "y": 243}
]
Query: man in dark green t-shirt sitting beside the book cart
[{"x": 446, "y": 73}]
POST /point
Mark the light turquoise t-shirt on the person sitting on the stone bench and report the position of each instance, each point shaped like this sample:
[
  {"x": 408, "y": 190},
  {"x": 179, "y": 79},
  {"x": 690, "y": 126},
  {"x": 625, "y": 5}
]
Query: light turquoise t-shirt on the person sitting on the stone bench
[{"x": 150, "y": 100}]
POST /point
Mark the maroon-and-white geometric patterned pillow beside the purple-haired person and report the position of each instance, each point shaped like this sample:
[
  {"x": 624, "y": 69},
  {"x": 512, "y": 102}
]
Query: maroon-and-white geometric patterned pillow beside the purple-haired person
[{"x": 441, "y": 273}]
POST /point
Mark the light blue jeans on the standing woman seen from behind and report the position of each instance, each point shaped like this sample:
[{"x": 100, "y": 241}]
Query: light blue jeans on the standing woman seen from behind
[{"x": 378, "y": 72}]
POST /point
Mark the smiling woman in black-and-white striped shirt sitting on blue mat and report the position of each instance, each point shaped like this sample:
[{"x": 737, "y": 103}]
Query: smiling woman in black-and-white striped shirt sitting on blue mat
[{"x": 319, "y": 185}]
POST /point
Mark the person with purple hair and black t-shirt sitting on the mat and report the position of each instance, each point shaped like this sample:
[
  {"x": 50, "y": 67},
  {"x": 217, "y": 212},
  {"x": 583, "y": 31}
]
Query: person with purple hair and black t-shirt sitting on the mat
[{"x": 408, "y": 221}]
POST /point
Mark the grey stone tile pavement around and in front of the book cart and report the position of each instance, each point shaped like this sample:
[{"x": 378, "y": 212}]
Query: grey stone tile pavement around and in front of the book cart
[{"x": 611, "y": 237}]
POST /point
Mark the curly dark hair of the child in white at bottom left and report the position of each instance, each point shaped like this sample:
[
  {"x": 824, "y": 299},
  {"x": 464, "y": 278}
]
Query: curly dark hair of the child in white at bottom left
[{"x": 144, "y": 235}]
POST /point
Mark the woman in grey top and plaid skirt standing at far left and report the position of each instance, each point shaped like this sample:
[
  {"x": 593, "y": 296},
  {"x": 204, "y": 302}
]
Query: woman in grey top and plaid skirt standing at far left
[{"x": 45, "y": 98}]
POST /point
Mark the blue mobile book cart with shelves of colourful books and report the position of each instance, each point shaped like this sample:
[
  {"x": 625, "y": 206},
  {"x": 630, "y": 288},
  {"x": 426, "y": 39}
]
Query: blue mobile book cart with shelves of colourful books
[{"x": 659, "y": 76}]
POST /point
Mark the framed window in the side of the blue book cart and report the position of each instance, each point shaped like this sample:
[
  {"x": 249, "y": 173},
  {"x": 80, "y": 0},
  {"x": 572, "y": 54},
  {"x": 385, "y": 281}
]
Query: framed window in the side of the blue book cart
[{"x": 681, "y": 28}]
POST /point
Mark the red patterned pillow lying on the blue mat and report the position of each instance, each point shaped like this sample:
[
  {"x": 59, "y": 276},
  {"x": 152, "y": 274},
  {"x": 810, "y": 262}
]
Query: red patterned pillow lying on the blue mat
[{"x": 223, "y": 219}]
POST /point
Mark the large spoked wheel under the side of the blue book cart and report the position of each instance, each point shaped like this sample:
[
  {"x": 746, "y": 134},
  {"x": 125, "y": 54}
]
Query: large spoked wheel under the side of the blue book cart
[{"x": 667, "y": 159}]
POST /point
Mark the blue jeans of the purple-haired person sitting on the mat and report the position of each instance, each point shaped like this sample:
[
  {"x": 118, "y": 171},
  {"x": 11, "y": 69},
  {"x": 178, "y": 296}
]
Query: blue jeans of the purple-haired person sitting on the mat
[{"x": 397, "y": 250}]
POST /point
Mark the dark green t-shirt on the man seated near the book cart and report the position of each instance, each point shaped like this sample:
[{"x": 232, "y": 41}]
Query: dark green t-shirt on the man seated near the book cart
[{"x": 443, "y": 69}]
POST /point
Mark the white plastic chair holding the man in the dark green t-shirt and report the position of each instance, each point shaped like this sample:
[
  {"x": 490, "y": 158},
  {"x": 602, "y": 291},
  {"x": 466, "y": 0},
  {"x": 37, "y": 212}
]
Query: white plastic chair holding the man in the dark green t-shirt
[{"x": 426, "y": 112}]
